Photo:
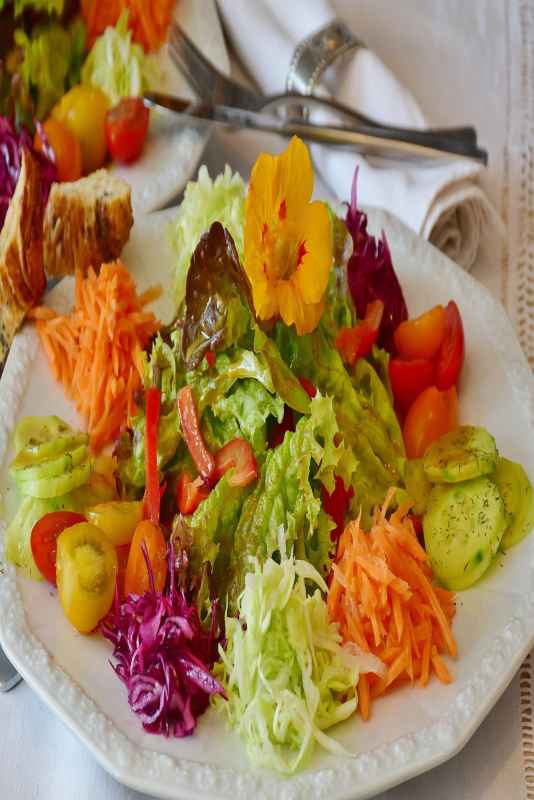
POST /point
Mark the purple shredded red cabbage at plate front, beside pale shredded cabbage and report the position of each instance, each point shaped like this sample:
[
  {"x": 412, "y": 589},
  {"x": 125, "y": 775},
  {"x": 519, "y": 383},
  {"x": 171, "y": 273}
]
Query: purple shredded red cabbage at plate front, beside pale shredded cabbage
[{"x": 164, "y": 657}]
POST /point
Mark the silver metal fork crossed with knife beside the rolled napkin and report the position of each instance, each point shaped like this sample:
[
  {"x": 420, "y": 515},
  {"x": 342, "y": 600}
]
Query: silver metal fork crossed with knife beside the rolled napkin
[{"x": 210, "y": 84}]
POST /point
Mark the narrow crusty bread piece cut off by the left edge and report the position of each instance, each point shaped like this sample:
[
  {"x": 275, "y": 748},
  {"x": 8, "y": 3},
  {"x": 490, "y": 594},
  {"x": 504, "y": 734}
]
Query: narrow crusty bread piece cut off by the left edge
[{"x": 22, "y": 278}]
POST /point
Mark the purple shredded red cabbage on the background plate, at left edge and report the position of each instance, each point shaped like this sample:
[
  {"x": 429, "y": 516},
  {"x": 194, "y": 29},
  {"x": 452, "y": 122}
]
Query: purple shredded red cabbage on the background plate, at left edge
[{"x": 12, "y": 143}]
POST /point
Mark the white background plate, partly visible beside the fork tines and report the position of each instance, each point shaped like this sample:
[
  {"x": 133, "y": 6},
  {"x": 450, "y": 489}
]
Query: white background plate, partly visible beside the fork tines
[{"x": 174, "y": 146}]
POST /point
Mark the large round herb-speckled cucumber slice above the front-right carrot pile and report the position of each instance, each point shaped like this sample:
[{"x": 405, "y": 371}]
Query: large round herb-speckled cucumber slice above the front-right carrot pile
[{"x": 463, "y": 528}]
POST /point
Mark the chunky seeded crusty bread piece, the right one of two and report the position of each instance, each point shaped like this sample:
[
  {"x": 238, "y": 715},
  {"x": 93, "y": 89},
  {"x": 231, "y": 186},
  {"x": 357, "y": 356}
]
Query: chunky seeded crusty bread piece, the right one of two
[{"x": 87, "y": 223}]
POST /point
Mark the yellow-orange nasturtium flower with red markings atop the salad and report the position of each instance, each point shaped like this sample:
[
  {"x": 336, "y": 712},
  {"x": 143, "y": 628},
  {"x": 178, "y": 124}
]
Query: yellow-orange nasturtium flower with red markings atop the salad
[{"x": 288, "y": 240}]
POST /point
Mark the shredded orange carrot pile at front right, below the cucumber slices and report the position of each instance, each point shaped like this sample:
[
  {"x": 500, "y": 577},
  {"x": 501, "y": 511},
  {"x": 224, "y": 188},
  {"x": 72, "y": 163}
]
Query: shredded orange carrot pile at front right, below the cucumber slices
[{"x": 382, "y": 597}]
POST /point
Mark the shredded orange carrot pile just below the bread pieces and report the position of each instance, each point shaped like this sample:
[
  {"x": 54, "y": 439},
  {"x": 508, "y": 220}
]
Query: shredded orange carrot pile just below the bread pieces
[{"x": 95, "y": 351}]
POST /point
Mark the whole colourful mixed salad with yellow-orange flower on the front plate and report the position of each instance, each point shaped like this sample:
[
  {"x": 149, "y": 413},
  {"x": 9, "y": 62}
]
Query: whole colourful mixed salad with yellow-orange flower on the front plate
[{"x": 271, "y": 502}]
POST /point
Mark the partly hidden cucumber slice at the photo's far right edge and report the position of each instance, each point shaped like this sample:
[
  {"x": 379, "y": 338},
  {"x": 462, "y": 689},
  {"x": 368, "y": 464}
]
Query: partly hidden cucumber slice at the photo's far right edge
[{"x": 518, "y": 497}]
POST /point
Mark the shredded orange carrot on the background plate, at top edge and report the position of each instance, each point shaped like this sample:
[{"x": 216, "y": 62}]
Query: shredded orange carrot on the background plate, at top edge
[{"x": 147, "y": 19}]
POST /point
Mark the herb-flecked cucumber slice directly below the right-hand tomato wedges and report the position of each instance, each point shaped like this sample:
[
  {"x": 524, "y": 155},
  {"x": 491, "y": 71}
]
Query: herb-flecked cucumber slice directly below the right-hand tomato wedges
[{"x": 461, "y": 455}]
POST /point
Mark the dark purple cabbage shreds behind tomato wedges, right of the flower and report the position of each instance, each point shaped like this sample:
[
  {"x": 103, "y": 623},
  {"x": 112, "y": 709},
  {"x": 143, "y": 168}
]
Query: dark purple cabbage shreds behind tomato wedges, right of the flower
[{"x": 370, "y": 274}]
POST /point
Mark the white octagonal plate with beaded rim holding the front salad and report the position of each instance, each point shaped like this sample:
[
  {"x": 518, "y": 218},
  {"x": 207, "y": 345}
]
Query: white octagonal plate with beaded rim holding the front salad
[{"x": 410, "y": 731}]
